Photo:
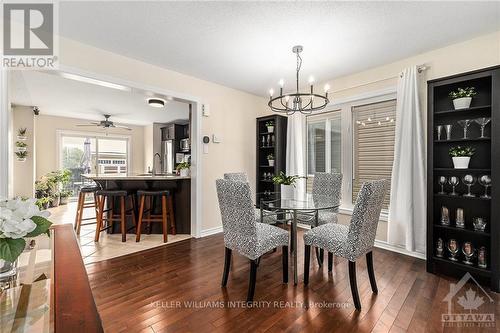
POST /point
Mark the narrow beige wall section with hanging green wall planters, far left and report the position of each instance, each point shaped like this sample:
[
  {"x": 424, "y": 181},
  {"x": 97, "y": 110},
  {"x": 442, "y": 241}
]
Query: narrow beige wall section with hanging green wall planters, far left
[{"x": 23, "y": 173}]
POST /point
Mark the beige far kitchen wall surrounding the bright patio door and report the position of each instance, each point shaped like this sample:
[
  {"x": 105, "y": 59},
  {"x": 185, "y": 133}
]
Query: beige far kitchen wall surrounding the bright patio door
[{"x": 46, "y": 140}]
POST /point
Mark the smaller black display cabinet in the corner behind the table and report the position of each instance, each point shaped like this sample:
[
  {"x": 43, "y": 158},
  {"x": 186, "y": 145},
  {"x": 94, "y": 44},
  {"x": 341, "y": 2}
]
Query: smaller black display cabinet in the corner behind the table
[{"x": 270, "y": 143}]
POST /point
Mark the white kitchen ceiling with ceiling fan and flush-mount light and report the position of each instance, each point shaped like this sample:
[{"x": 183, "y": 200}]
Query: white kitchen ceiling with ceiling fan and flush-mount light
[{"x": 59, "y": 96}]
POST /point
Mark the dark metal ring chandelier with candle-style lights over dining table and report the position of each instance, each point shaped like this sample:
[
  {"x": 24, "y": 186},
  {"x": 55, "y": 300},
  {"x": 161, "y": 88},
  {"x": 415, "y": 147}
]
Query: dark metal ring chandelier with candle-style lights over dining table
[{"x": 303, "y": 102}]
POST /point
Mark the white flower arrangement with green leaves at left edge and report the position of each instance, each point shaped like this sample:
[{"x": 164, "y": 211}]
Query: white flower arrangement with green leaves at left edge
[{"x": 20, "y": 219}]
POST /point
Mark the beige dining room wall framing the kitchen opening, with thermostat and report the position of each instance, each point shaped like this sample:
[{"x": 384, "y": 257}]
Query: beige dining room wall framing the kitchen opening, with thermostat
[{"x": 232, "y": 117}]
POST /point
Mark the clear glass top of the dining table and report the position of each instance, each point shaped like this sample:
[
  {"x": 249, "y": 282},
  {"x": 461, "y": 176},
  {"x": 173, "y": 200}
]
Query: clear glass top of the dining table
[{"x": 299, "y": 201}]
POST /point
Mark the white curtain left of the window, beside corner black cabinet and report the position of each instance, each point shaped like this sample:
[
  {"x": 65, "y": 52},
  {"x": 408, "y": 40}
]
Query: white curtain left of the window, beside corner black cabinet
[{"x": 295, "y": 149}]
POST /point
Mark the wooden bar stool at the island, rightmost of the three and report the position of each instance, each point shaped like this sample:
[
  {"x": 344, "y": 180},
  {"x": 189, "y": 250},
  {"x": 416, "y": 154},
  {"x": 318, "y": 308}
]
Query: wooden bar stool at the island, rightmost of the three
[{"x": 167, "y": 212}]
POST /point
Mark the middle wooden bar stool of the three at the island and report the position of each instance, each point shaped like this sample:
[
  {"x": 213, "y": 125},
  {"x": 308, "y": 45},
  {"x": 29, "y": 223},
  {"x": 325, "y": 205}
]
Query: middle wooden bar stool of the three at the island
[{"x": 106, "y": 195}]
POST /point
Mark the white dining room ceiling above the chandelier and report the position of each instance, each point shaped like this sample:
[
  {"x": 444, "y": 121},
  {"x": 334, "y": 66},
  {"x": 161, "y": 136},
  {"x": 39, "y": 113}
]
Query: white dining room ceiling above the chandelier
[{"x": 247, "y": 45}]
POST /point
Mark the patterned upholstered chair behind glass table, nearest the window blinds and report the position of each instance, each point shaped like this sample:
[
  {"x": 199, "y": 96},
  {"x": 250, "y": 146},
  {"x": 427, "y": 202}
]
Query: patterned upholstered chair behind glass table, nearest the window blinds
[{"x": 324, "y": 183}]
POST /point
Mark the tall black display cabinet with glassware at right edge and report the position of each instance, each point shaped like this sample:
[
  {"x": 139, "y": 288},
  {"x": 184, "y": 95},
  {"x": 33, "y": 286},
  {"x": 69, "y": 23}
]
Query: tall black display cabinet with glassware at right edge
[{"x": 485, "y": 161}]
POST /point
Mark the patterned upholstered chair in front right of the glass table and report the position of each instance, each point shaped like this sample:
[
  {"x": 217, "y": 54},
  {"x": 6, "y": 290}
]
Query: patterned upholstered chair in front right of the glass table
[{"x": 353, "y": 241}]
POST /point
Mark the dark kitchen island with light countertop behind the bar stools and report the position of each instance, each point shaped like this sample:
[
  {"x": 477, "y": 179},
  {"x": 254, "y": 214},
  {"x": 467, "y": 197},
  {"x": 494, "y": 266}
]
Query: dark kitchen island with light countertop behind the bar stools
[{"x": 179, "y": 187}]
